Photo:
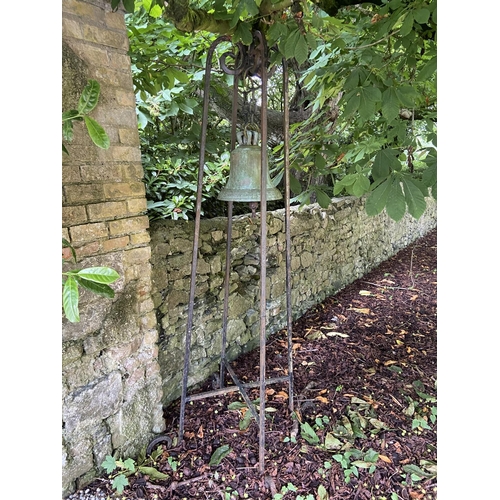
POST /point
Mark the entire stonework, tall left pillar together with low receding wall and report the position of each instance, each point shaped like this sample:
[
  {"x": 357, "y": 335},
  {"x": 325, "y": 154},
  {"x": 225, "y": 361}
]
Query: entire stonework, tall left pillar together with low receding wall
[{"x": 122, "y": 363}]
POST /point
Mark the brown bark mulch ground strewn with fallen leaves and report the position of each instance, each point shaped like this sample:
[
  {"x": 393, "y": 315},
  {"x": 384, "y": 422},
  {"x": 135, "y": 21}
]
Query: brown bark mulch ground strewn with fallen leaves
[{"x": 364, "y": 426}]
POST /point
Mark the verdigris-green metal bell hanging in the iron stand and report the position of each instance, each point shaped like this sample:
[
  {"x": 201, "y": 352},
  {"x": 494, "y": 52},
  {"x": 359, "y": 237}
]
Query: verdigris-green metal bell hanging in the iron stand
[{"x": 243, "y": 183}]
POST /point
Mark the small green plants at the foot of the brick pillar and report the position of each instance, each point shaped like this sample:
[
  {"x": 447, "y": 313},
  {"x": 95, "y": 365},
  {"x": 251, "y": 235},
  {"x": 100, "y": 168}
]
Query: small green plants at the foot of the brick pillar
[{"x": 120, "y": 470}]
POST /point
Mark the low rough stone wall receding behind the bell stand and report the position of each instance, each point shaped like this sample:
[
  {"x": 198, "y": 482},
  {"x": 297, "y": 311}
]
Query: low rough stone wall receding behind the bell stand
[{"x": 329, "y": 249}]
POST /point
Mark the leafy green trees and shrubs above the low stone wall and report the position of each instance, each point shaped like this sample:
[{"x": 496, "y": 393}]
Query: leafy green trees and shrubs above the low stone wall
[{"x": 366, "y": 77}]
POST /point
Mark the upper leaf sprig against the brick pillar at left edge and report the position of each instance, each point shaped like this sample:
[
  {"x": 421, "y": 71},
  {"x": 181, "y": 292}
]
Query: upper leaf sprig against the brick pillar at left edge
[{"x": 87, "y": 102}]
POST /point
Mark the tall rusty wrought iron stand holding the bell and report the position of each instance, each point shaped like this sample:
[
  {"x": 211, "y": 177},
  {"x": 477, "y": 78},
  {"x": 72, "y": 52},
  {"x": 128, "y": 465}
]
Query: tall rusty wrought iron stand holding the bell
[{"x": 248, "y": 62}]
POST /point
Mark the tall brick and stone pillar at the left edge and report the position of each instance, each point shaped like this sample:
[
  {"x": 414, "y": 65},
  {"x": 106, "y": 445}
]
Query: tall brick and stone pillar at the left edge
[{"x": 111, "y": 386}]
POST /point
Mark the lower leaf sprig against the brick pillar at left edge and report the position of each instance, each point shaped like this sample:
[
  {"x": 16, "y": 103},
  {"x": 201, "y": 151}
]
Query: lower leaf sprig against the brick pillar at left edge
[{"x": 95, "y": 279}]
